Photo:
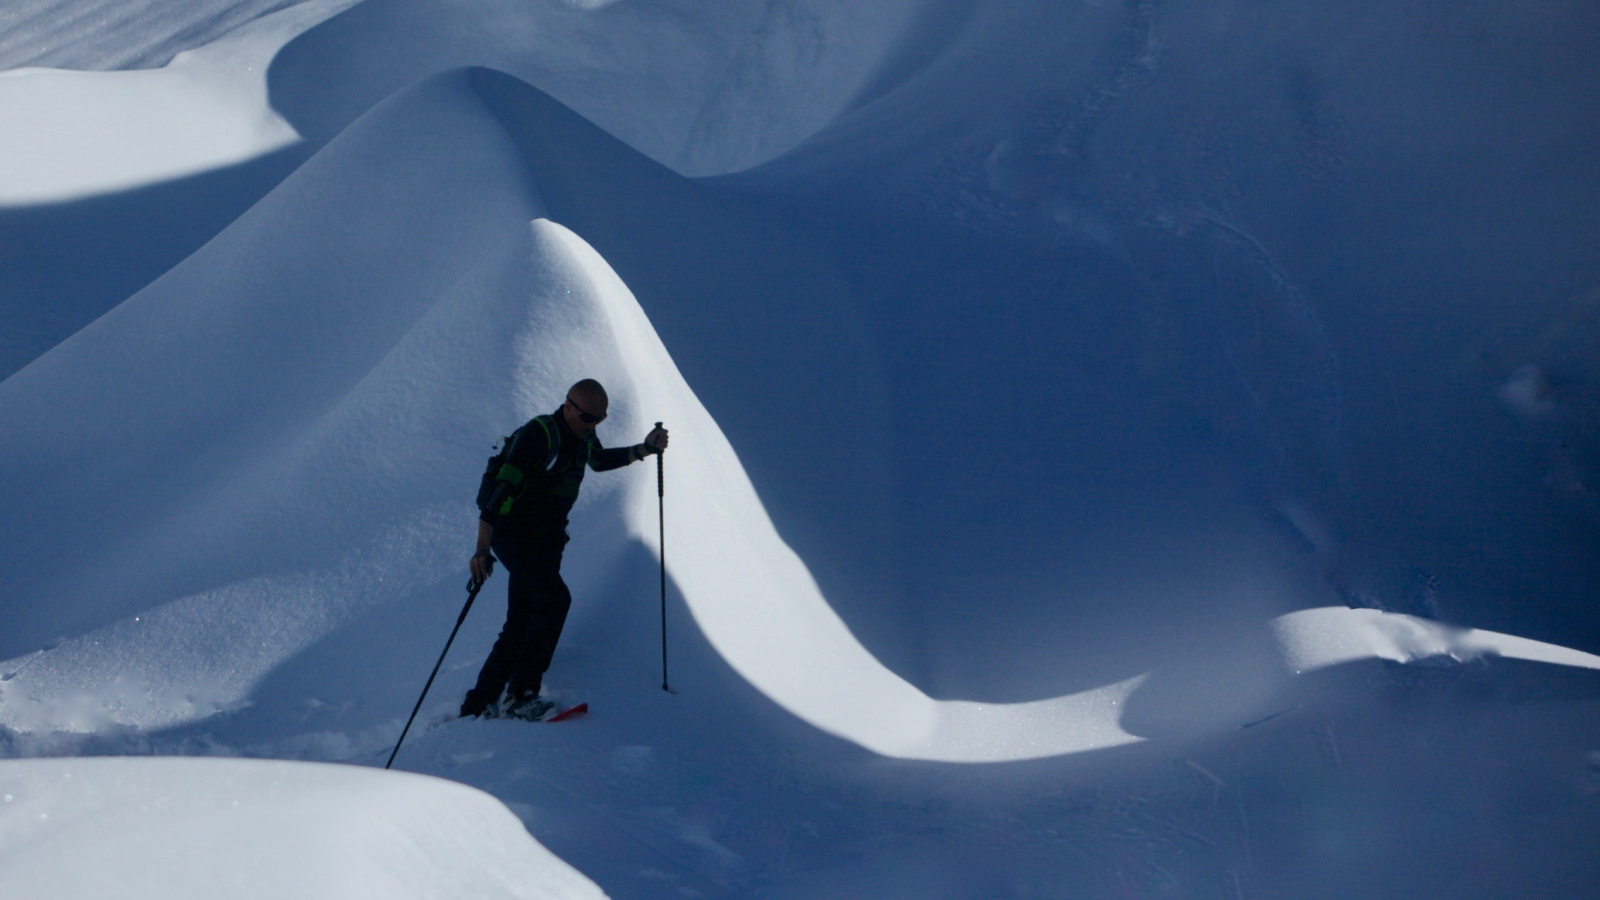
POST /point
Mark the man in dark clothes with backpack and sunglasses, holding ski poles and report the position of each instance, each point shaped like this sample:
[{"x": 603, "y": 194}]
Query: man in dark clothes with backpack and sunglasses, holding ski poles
[{"x": 524, "y": 523}]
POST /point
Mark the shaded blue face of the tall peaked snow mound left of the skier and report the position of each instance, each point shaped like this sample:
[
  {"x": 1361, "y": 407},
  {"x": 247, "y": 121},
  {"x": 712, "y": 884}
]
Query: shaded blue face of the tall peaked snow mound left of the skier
[{"x": 290, "y": 440}]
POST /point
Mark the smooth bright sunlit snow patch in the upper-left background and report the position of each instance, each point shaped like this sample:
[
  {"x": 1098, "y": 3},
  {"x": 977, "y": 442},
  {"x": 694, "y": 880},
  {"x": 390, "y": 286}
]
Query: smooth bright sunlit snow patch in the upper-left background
[{"x": 73, "y": 135}]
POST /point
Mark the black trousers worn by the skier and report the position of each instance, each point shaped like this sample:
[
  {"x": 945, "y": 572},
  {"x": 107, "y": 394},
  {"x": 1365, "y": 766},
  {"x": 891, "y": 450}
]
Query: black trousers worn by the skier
[{"x": 537, "y": 603}]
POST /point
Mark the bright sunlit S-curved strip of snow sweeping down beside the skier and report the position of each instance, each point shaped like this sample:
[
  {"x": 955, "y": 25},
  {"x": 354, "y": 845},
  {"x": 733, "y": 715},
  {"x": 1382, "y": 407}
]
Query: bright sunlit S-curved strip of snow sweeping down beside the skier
[{"x": 762, "y": 609}]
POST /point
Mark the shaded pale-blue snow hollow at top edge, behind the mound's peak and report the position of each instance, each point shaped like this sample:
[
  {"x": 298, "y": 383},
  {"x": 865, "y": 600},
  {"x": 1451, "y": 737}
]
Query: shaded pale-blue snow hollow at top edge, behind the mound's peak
[{"x": 698, "y": 87}]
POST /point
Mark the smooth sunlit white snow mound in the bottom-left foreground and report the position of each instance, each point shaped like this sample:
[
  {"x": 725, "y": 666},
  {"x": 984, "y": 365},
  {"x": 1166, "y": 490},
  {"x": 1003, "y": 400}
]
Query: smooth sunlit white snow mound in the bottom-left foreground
[{"x": 177, "y": 829}]
